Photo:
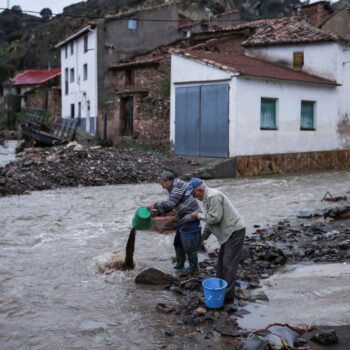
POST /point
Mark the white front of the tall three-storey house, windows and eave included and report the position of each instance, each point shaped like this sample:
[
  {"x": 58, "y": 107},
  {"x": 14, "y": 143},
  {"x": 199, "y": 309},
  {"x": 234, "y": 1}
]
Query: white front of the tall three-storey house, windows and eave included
[{"x": 79, "y": 77}]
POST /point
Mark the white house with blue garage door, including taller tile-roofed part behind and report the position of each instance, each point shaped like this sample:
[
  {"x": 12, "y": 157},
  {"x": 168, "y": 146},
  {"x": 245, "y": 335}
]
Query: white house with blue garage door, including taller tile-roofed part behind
[{"x": 288, "y": 93}]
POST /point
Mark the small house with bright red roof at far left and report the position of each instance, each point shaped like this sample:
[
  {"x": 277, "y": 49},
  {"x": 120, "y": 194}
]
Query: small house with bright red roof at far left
[{"x": 35, "y": 88}]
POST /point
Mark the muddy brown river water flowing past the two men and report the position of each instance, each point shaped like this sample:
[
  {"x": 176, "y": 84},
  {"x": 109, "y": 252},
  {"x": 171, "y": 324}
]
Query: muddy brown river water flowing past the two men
[{"x": 51, "y": 295}]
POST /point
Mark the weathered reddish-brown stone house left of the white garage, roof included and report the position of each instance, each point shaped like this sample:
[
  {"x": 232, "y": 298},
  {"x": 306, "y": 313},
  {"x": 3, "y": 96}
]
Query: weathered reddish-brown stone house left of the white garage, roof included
[{"x": 142, "y": 86}]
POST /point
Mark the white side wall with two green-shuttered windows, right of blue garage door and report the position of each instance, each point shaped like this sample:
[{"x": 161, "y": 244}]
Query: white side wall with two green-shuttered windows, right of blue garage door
[{"x": 248, "y": 139}]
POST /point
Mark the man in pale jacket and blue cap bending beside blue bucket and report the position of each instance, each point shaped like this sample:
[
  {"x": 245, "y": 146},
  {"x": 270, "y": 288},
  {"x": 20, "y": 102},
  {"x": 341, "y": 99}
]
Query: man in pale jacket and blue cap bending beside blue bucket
[{"x": 223, "y": 221}]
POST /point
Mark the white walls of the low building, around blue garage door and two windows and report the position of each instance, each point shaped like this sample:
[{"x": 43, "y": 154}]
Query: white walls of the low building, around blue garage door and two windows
[{"x": 245, "y": 136}]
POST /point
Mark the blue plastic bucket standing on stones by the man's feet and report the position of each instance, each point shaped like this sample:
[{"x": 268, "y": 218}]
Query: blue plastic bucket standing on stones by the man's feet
[{"x": 214, "y": 292}]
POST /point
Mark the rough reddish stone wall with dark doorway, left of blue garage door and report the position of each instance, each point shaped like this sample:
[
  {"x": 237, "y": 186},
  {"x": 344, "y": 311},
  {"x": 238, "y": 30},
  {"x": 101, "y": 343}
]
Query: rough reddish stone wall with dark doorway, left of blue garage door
[{"x": 151, "y": 104}]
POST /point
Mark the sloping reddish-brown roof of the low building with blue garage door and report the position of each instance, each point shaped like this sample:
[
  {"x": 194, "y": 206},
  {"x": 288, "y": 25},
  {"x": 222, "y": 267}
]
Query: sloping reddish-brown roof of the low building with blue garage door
[{"x": 249, "y": 66}]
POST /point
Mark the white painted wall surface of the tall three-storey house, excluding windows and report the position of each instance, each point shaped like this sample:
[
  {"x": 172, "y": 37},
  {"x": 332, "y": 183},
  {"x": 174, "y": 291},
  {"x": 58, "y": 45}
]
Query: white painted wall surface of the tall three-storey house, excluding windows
[{"x": 83, "y": 91}]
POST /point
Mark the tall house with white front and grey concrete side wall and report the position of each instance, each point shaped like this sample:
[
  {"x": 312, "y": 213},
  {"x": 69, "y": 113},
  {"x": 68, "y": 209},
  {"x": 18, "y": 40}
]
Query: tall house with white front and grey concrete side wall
[{"x": 86, "y": 57}]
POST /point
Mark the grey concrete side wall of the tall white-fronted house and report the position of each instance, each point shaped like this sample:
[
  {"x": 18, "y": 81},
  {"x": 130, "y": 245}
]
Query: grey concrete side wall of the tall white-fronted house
[{"x": 117, "y": 42}]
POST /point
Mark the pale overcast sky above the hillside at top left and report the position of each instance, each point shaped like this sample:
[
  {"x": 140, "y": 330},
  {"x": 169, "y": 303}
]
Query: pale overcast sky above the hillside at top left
[{"x": 56, "y": 6}]
